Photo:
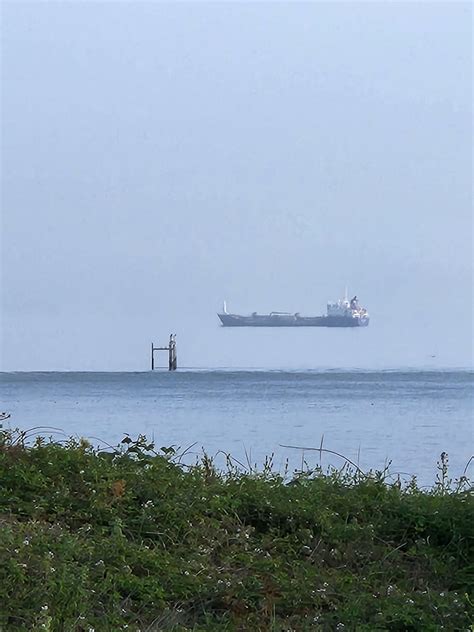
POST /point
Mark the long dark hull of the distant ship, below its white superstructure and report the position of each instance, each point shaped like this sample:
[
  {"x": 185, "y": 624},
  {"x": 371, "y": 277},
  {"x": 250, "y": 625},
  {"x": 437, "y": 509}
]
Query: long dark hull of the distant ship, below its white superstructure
[{"x": 291, "y": 320}]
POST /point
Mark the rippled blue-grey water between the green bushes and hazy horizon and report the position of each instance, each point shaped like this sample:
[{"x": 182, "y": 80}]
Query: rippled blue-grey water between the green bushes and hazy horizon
[{"x": 407, "y": 417}]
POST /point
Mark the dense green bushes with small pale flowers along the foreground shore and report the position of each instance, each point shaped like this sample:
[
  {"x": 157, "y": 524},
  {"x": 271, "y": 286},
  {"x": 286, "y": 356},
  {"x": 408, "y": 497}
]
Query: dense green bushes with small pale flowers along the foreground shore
[{"x": 131, "y": 539}]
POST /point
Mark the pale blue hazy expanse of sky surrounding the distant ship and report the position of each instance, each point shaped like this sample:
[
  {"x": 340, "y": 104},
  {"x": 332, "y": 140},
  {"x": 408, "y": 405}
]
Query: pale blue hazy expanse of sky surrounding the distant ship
[{"x": 158, "y": 158}]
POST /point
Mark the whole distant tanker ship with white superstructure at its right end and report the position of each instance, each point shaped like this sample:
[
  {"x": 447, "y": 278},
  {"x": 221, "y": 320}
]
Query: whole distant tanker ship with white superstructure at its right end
[{"x": 342, "y": 313}]
